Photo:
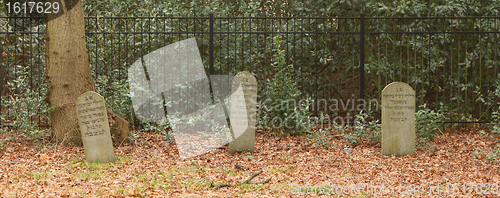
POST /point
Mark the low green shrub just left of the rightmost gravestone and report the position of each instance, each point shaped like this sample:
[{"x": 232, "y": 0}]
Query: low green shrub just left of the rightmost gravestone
[{"x": 365, "y": 127}]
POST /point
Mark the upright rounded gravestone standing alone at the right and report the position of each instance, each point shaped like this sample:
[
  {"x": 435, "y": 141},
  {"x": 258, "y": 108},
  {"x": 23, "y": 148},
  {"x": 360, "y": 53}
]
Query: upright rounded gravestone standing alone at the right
[{"x": 398, "y": 119}]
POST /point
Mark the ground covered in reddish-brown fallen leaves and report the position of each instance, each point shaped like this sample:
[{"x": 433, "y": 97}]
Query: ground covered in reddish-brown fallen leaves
[{"x": 460, "y": 163}]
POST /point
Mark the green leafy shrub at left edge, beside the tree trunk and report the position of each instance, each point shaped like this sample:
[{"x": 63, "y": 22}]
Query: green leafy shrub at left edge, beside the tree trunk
[{"x": 26, "y": 105}]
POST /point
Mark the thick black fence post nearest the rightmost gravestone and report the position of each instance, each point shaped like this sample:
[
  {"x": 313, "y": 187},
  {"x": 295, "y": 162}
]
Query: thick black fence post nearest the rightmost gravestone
[{"x": 362, "y": 58}]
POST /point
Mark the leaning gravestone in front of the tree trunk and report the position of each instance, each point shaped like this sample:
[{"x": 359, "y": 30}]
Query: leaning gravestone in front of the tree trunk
[{"x": 94, "y": 126}]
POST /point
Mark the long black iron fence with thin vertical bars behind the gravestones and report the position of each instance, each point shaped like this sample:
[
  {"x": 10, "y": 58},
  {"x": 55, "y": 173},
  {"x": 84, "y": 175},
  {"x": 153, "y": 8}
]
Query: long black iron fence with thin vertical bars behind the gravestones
[{"x": 451, "y": 62}]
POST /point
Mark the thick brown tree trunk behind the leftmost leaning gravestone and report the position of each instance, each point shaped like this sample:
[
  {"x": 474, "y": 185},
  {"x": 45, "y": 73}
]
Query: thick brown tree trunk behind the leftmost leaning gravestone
[{"x": 68, "y": 71}]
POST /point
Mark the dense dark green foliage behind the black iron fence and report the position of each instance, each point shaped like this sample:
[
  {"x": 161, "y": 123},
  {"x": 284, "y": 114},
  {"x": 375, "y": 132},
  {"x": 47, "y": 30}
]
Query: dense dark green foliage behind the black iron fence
[{"x": 457, "y": 69}]
